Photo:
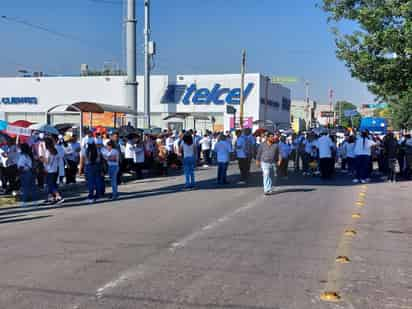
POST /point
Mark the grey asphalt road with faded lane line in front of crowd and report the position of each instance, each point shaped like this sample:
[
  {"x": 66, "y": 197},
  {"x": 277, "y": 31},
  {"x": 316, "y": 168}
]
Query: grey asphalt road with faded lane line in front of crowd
[{"x": 216, "y": 247}]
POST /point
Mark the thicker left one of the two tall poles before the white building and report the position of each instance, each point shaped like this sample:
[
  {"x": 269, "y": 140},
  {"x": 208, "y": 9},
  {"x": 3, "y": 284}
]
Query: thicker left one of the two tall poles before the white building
[{"x": 131, "y": 83}]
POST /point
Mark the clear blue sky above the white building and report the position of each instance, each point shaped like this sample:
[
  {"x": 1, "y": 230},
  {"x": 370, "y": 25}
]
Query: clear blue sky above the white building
[{"x": 288, "y": 38}]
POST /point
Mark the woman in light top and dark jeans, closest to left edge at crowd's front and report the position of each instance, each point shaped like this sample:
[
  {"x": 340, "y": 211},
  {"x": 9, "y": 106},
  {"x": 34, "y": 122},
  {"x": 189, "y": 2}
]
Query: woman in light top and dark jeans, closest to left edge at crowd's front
[{"x": 25, "y": 166}]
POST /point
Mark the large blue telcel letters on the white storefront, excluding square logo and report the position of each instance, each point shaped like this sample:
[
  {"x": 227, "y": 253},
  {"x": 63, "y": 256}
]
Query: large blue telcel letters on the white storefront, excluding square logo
[{"x": 217, "y": 95}]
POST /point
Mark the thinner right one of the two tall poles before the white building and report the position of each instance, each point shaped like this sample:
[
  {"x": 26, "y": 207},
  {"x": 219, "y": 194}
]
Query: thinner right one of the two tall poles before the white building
[{"x": 147, "y": 62}]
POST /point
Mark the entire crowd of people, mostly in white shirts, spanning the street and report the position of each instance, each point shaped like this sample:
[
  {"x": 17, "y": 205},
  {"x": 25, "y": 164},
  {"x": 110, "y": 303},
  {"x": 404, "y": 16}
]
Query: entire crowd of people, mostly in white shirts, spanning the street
[{"x": 46, "y": 162}]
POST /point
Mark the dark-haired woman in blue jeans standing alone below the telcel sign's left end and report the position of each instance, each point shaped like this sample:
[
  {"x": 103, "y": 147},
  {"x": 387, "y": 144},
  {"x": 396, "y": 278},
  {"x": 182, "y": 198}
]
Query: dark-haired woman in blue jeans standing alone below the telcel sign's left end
[{"x": 188, "y": 150}]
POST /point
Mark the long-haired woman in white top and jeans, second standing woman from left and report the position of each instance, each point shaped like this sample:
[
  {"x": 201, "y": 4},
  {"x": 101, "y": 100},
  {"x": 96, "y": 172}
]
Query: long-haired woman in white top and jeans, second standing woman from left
[{"x": 51, "y": 165}]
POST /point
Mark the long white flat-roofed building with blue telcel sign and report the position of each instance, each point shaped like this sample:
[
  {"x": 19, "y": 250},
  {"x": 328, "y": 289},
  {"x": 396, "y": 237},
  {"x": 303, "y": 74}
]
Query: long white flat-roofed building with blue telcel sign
[{"x": 190, "y": 101}]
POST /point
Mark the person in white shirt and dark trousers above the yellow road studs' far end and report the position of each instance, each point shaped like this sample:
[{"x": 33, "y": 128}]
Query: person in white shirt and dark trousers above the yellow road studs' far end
[{"x": 363, "y": 153}]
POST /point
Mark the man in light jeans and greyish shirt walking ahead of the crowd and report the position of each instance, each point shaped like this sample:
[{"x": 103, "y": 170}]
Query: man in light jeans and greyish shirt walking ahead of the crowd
[{"x": 267, "y": 158}]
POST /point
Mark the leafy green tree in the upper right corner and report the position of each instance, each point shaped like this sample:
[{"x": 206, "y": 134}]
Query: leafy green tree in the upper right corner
[{"x": 379, "y": 53}]
